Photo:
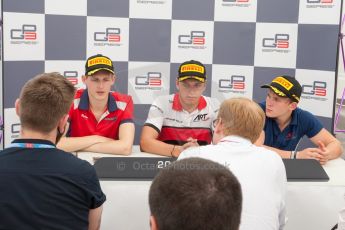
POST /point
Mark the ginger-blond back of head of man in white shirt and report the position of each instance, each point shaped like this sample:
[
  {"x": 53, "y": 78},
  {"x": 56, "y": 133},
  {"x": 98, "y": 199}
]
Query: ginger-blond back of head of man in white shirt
[{"x": 242, "y": 117}]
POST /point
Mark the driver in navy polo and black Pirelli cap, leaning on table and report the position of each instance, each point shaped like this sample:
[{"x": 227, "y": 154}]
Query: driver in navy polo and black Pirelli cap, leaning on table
[{"x": 286, "y": 124}]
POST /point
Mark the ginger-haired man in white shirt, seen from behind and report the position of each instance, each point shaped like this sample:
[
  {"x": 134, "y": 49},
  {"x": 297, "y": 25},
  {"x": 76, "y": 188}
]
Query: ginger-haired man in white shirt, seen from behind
[{"x": 260, "y": 171}]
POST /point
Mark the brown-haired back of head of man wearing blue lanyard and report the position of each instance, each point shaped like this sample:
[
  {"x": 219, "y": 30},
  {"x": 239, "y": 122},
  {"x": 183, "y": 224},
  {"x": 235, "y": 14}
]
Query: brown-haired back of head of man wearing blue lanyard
[{"x": 44, "y": 100}]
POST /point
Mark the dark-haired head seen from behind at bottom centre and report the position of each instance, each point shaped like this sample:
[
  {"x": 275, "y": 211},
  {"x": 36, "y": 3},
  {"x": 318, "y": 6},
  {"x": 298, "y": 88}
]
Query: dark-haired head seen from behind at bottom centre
[{"x": 195, "y": 194}]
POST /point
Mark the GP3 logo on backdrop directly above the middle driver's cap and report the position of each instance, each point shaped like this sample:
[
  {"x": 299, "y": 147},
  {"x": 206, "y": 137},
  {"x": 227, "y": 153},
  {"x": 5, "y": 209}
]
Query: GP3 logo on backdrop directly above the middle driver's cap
[{"x": 193, "y": 40}]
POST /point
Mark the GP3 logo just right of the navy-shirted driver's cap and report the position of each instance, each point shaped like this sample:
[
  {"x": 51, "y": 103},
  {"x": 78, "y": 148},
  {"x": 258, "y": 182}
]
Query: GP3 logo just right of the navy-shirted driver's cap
[{"x": 317, "y": 91}]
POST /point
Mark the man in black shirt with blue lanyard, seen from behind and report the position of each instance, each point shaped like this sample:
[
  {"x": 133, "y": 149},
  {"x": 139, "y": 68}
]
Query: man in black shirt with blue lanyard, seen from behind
[{"x": 42, "y": 187}]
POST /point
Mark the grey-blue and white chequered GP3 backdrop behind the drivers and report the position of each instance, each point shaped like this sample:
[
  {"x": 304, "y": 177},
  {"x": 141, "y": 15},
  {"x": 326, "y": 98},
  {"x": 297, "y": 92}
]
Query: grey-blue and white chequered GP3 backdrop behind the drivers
[{"x": 243, "y": 44}]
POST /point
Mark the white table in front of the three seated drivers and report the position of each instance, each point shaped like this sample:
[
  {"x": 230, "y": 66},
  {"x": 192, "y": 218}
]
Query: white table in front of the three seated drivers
[{"x": 310, "y": 205}]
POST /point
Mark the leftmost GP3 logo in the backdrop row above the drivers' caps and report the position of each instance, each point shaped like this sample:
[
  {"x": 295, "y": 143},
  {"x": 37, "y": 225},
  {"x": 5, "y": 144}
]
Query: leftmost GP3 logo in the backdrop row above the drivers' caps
[{"x": 27, "y": 34}]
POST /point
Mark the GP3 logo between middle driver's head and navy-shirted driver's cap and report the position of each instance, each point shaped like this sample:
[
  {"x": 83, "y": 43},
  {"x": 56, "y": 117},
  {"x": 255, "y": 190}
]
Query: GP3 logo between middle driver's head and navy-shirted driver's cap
[{"x": 236, "y": 84}]
